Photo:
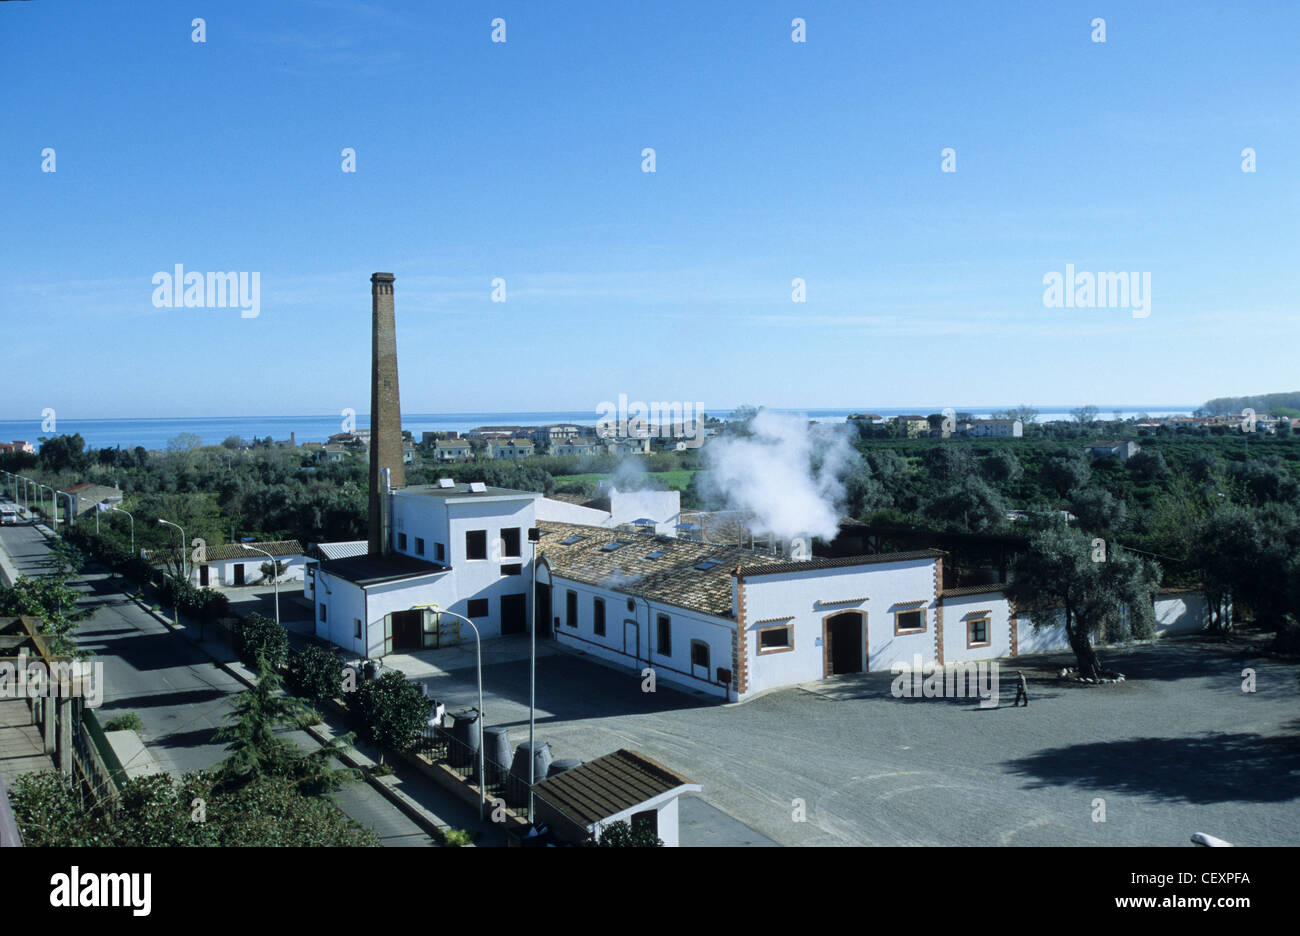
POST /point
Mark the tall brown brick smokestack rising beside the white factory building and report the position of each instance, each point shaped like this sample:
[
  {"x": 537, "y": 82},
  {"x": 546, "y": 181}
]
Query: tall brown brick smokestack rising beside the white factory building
[{"x": 385, "y": 408}]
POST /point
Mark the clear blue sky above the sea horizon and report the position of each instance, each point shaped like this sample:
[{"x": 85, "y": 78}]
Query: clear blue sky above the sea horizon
[{"x": 523, "y": 161}]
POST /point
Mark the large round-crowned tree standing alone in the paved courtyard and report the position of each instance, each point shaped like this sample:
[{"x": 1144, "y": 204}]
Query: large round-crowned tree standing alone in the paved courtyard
[{"x": 1061, "y": 579}]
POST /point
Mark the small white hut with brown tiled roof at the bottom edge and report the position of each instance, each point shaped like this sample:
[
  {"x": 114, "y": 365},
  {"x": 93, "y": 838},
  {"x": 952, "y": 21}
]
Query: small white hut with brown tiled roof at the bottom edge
[{"x": 626, "y": 787}]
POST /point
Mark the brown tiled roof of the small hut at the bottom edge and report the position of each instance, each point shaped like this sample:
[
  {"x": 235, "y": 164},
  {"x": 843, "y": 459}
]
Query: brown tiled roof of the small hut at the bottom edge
[{"x": 609, "y": 786}]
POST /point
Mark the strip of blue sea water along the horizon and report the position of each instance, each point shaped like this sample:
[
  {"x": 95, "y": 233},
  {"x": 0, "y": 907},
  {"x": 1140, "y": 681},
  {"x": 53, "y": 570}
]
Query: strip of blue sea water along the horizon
[{"x": 154, "y": 434}]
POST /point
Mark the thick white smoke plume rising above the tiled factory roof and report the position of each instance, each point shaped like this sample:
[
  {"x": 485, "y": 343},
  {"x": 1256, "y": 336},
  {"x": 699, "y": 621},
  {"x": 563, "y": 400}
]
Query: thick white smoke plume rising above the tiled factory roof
[{"x": 788, "y": 474}]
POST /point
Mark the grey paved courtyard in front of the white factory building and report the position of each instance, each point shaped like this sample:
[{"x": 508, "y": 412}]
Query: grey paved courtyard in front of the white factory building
[{"x": 1176, "y": 749}]
